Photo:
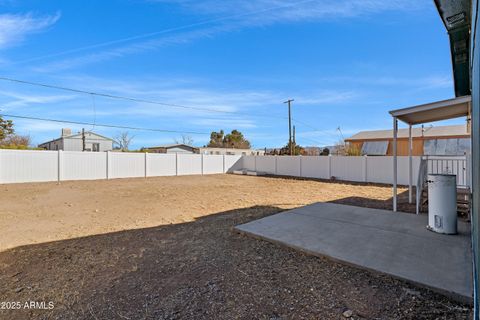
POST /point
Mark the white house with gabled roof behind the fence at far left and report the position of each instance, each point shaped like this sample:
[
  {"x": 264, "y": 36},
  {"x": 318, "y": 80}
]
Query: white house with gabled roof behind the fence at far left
[{"x": 74, "y": 142}]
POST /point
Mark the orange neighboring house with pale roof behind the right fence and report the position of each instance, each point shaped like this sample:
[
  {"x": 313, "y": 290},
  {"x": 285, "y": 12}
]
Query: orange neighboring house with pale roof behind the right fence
[{"x": 441, "y": 140}]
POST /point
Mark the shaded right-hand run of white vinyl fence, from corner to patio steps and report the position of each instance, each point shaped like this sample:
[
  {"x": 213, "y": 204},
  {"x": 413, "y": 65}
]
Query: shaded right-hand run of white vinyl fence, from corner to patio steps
[{"x": 358, "y": 169}]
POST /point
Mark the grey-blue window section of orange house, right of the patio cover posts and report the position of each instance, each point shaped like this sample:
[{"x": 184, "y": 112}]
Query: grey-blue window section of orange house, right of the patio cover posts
[{"x": 446, "y": 147}]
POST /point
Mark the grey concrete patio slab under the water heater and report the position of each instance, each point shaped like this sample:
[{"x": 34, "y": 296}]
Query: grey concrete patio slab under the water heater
[{"x": 397, "y": 244}]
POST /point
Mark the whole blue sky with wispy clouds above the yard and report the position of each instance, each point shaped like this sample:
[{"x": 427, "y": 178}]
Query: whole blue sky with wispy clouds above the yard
[{"x": 345, "y": 62}]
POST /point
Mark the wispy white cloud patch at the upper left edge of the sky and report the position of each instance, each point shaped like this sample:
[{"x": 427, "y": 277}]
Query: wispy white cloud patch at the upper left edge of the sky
[{"x": 14, "y": 28}]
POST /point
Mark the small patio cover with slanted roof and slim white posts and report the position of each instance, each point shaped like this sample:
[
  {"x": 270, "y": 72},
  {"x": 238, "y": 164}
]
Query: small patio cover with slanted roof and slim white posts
[{"x": 430, "y": 112}]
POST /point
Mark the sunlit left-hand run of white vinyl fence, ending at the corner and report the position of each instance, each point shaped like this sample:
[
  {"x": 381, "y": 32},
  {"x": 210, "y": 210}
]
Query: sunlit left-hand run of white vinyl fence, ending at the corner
[{"x": 36, "y": 166}]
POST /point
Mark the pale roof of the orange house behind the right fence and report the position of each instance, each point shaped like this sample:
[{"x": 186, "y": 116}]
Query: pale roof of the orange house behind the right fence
[{"x": 428, "y": 132}]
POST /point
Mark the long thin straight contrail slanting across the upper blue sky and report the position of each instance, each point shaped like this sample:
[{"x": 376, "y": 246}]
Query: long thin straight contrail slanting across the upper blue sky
[{"x": 156, "y": 33}]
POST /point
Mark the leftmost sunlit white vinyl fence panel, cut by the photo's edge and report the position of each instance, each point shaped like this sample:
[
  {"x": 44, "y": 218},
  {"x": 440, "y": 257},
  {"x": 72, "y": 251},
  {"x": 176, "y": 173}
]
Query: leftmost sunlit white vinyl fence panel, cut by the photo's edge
[{"x": 28, "y": 166}]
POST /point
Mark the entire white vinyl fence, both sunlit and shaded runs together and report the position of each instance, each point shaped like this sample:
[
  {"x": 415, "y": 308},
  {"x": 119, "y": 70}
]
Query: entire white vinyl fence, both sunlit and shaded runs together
[{"x": 36, "y": 166}]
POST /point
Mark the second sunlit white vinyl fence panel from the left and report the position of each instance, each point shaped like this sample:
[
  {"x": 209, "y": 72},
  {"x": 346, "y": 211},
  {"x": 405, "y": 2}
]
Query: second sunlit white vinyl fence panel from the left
[{"x": 83, "y": 165}]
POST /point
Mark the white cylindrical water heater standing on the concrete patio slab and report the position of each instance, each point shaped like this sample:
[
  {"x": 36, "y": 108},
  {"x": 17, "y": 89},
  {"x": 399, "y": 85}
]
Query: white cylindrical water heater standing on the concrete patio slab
[{"x": 442, "y": 203}]
